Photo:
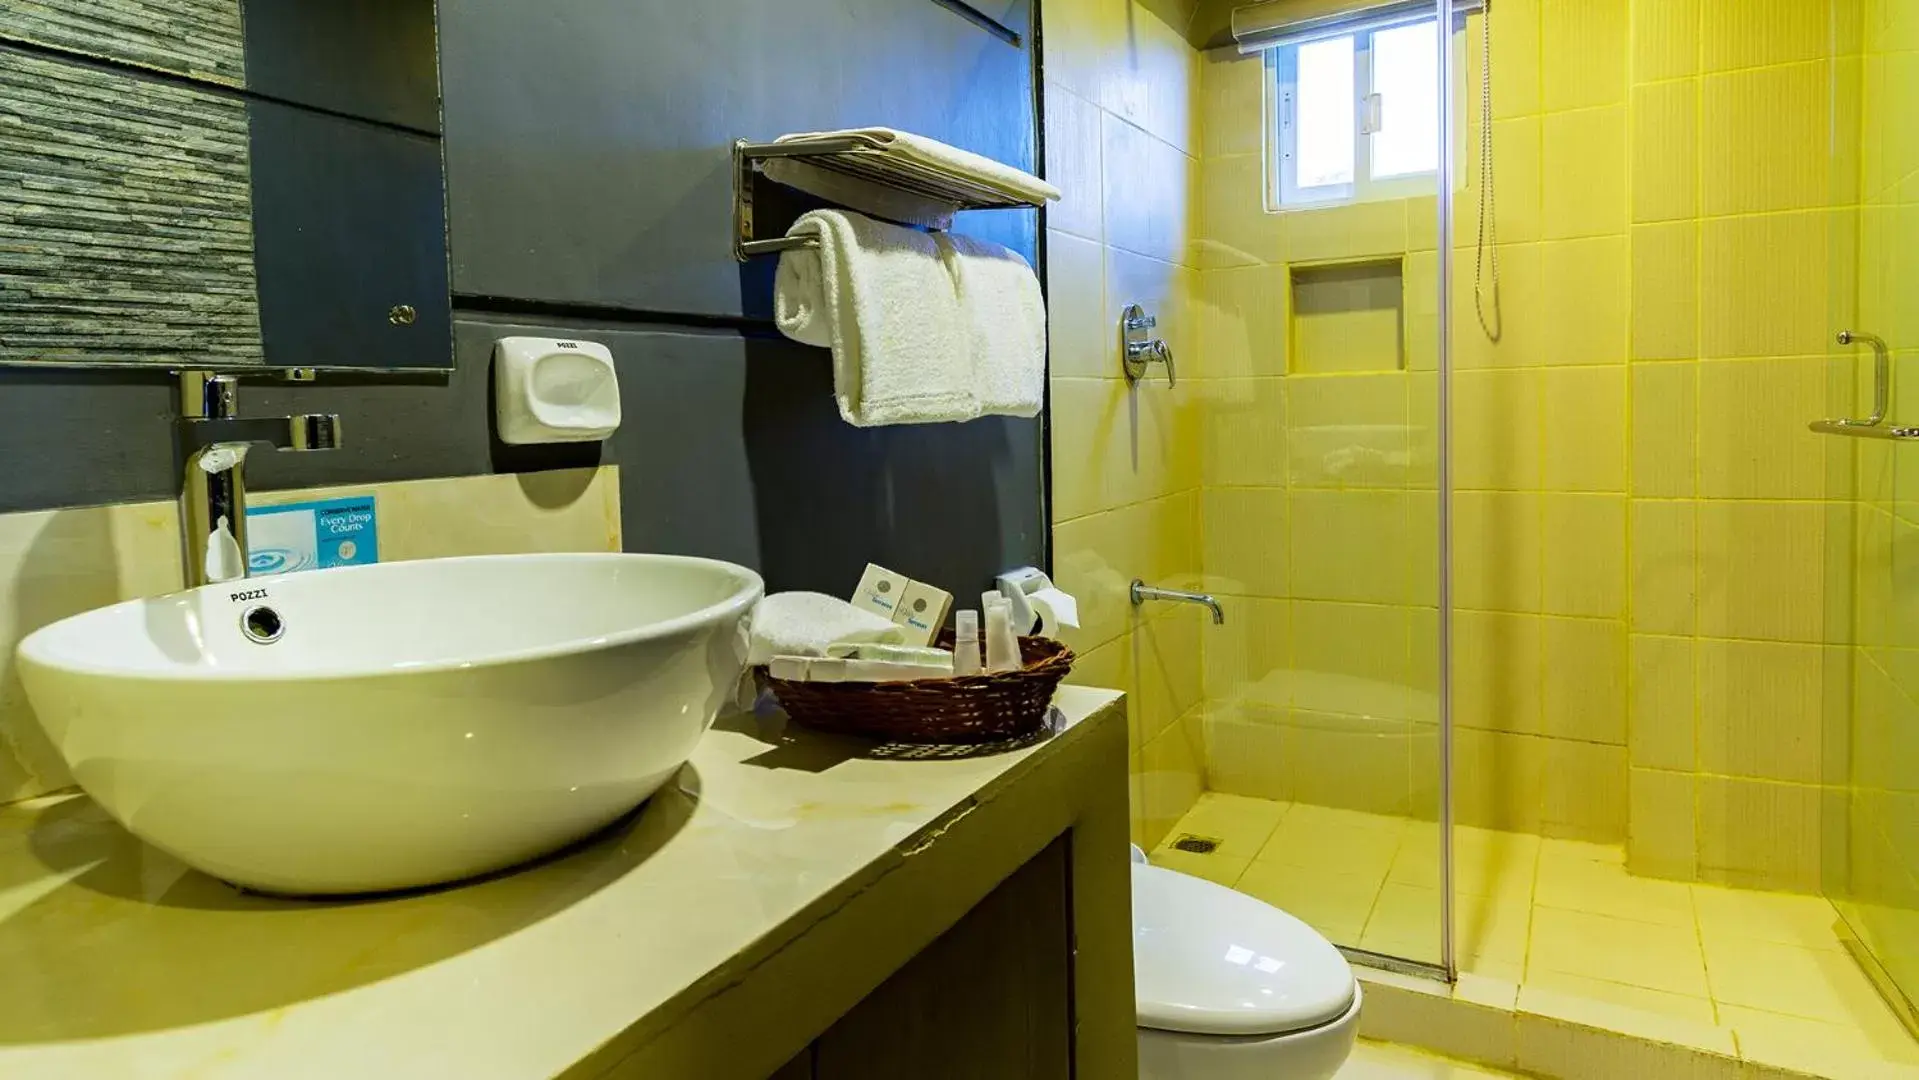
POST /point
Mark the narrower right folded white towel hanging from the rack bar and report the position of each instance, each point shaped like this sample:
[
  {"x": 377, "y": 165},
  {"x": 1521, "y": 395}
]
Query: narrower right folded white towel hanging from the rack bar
[{"x": 1007, "y": 327}]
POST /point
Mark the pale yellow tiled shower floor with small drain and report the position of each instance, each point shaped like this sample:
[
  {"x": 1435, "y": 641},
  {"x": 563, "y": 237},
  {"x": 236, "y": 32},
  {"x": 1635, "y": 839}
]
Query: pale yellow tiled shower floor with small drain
[{"x": 1565, "y": 924}]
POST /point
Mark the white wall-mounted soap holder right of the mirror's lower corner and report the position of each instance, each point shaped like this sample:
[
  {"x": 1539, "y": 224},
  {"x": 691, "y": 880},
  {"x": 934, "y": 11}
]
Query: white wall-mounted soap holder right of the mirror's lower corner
[{"x": 550, "y": 390}]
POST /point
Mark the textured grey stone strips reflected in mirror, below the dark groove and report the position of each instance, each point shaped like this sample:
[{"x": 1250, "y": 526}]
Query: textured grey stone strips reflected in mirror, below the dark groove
[{"x": 126, "y": 220}]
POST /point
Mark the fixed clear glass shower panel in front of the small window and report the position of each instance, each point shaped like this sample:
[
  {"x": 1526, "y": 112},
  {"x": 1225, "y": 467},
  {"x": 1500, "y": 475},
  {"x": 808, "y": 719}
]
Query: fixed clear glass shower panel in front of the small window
[{"x": 1323, "y": 285}]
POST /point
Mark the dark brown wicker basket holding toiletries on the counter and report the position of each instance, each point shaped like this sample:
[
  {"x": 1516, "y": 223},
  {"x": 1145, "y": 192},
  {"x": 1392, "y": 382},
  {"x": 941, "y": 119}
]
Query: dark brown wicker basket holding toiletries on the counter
[{"x": 972, "y": 709}]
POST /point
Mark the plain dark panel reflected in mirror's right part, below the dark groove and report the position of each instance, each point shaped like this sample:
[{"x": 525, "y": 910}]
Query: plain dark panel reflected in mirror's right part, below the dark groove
[{"x": 348, "y": 225}]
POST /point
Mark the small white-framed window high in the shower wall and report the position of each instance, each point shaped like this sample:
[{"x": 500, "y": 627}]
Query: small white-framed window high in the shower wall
[{"x": 1358, "y": 116}]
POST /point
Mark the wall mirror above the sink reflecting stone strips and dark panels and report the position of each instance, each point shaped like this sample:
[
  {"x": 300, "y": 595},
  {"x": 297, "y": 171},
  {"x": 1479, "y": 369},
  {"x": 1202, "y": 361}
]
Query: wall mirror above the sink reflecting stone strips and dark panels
[{"x": 225, "y": 185}]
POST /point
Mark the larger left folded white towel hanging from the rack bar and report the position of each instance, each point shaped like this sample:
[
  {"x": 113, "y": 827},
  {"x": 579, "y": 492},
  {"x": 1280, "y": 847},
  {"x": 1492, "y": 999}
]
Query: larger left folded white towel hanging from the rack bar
[{"x": 901, "y": 348}]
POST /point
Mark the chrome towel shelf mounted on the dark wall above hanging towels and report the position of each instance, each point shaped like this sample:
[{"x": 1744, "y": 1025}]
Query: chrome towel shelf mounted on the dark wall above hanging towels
[{"x": 861, "y": 156}]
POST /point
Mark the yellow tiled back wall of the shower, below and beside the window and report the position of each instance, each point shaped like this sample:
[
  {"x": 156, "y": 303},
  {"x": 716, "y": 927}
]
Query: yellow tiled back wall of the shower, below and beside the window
[{"x": 1653, "y": 555}]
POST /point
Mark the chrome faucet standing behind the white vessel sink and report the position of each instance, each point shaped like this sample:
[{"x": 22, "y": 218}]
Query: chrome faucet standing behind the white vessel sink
[{"x": 214, "y": 444}]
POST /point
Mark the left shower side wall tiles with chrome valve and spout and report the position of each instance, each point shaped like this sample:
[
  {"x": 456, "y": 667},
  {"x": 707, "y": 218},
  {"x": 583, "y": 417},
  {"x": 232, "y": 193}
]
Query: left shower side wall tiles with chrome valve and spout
[{"x": 1122, "y": 143}]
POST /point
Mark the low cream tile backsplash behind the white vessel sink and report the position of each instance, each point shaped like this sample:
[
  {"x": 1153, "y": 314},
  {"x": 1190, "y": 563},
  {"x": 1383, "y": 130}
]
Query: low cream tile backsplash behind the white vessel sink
[{"x": 64, "y": 563}]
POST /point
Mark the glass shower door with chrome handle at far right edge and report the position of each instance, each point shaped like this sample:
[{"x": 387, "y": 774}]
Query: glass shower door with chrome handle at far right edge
[{"x": 1874, "y": 878}]
